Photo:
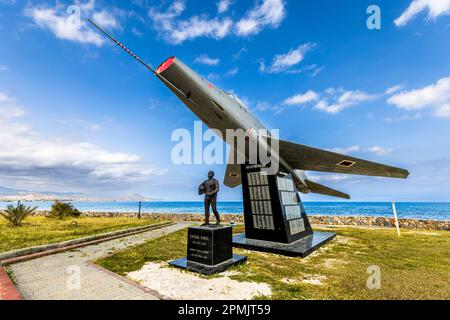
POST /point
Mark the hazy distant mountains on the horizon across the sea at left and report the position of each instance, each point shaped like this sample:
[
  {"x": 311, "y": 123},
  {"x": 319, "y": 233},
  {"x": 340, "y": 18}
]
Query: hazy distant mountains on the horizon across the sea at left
[{"x": 9, "y": 194}]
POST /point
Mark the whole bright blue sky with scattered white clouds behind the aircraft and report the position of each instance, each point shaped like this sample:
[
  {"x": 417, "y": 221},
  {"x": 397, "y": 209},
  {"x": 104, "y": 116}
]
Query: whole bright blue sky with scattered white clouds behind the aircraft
[{"x": 79, "y": 115}]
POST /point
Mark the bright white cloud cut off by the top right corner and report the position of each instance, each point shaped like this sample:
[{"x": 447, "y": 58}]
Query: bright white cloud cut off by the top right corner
[{"x": 435, "y": 8}]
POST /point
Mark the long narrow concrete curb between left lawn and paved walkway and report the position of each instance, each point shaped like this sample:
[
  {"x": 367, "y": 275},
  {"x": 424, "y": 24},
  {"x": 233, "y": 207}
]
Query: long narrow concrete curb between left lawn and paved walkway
[{"x": 39, "y": 251}]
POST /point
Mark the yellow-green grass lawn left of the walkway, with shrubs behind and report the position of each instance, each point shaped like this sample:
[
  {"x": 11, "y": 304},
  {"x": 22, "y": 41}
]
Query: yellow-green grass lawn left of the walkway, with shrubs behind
[{"x": 41, "y": 230}]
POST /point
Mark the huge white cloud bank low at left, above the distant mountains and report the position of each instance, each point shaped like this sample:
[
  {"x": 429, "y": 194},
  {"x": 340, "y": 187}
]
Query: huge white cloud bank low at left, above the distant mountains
[{"x": 29, "y": 157}]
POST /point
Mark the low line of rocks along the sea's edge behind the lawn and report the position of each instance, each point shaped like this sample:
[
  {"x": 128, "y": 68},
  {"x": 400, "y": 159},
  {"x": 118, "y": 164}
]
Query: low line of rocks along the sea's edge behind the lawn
[{"x": 314, "y": 219}]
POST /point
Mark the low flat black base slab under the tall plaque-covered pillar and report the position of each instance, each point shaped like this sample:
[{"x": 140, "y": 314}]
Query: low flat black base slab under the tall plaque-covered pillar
[{"x": 301, "y": 248}]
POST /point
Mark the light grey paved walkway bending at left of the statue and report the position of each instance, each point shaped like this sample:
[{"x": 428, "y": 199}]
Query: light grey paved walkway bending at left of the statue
[{"x": 70, "y": 276}]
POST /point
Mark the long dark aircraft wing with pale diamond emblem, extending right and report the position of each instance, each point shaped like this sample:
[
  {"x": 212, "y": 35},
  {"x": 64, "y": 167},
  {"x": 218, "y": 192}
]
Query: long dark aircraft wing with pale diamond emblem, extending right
[{"x": 306, "y": 158}]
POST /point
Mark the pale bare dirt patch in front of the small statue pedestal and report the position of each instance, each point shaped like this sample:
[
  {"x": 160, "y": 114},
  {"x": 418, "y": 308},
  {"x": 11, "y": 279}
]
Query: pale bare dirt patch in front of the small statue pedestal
[{"x": 181, "y": 285}]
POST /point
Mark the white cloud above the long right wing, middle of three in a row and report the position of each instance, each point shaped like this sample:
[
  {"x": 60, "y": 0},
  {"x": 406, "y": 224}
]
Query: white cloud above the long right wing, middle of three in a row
[{"x": 337, "y": 100}]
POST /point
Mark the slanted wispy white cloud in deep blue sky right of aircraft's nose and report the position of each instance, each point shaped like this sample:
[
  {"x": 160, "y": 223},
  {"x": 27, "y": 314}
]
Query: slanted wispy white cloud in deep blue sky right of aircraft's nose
[{"x": 283, "y": 62}]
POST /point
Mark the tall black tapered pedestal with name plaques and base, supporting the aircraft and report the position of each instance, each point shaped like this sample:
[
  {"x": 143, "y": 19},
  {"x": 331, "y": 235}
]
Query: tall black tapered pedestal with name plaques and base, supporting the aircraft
[{"x": 275, "y": 219}]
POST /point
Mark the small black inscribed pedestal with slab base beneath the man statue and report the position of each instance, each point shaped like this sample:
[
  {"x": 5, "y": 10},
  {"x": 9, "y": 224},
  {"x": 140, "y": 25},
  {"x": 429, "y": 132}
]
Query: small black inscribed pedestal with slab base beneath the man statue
[{"x": 209, "y": 250}]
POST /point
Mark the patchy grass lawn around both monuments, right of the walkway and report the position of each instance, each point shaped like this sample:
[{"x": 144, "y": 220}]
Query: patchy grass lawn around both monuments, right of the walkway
[{"x": 414, "y": 266}]
